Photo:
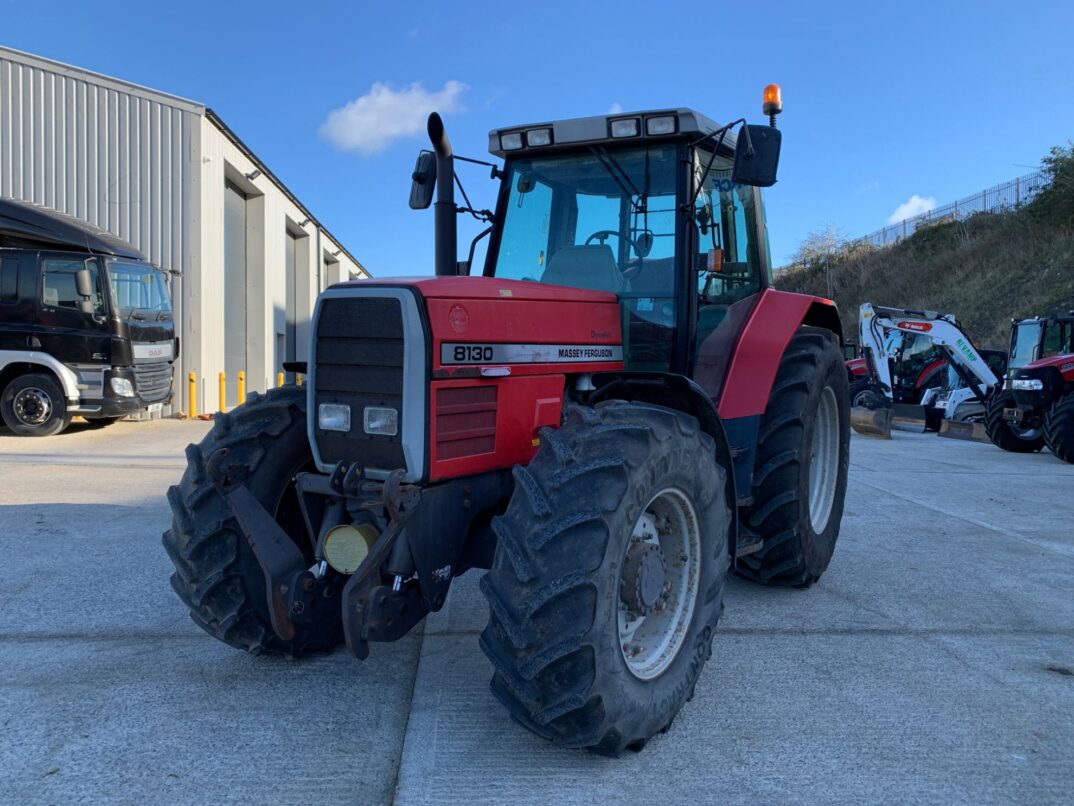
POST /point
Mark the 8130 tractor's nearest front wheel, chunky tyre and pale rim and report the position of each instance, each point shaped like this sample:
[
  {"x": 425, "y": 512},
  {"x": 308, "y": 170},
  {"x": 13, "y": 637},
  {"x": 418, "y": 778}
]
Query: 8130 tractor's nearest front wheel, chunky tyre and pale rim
[{"x": 608, "y": 578}]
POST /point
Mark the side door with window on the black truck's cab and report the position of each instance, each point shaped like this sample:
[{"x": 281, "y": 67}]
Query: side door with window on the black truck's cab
[{"x": 68, "y": 328}]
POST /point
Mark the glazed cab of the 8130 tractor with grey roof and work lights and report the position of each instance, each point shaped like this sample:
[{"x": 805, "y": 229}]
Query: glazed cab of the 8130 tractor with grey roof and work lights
[{"x": 649, "y": 207}]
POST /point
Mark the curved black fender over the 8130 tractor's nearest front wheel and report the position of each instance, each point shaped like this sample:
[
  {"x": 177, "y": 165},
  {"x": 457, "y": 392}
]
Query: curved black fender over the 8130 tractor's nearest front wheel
[{"x": 681, "y": 394}]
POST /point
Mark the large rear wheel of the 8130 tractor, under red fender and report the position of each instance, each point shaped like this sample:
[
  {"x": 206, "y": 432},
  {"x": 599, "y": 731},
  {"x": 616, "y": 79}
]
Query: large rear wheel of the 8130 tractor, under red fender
[{"x": 800, "y": 479}]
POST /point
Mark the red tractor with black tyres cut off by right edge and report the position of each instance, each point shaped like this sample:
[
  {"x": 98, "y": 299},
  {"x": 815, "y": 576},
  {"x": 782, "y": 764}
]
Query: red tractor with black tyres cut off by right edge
[{"x": 1036, "y": 407}]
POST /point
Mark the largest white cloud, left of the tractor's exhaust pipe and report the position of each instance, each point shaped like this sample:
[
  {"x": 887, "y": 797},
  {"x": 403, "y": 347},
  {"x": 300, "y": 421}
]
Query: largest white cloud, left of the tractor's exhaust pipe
[{"x": 372, "y": 122}]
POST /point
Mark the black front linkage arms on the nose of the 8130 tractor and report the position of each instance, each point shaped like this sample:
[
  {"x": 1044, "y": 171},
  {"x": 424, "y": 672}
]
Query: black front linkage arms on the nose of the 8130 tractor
[{"x": 398, "y": 583}]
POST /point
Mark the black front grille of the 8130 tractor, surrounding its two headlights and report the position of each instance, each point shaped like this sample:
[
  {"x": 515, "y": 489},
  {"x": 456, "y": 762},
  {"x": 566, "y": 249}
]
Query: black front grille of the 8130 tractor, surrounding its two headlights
[{"x": 359, "y": 363}]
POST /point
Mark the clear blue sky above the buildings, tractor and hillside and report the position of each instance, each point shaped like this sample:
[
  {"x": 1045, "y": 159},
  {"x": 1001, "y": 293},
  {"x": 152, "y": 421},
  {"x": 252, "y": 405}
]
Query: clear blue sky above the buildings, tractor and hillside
[{"x": 883, "y": 102}]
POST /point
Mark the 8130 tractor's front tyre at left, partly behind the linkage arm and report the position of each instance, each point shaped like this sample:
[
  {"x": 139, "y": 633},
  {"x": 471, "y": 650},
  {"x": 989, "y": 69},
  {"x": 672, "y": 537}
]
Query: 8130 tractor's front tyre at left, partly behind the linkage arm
[{"x": 217, "y": 575}]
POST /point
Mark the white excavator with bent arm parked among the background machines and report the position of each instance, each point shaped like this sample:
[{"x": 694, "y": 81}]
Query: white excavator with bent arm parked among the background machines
[{"x": 963, "y": 399}]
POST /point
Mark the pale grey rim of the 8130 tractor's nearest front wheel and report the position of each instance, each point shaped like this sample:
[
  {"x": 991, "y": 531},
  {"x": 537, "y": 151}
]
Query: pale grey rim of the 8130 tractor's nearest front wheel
[{"x": 656, "y": 612}]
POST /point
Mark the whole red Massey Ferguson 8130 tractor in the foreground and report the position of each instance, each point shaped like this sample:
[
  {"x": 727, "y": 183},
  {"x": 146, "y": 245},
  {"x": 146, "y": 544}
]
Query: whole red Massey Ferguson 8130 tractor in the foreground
[{"x": 612, "y": 414}]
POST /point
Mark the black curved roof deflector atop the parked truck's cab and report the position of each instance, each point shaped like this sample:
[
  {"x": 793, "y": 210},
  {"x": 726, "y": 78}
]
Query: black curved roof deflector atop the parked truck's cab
[{"x": 27, "y": 225}]
